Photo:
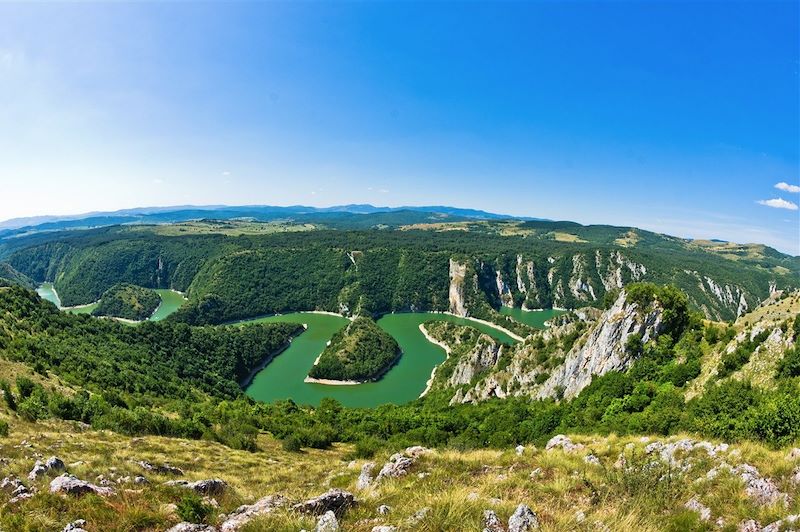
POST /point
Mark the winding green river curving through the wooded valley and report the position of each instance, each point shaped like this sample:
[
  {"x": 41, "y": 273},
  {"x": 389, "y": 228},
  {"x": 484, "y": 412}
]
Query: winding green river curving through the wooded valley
[{"x": 283, "y": 377}]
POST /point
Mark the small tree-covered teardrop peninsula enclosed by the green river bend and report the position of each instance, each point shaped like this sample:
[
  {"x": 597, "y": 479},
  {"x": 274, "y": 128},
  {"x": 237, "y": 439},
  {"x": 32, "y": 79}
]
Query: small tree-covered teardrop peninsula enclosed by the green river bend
[{"x": 361, "y": 351}]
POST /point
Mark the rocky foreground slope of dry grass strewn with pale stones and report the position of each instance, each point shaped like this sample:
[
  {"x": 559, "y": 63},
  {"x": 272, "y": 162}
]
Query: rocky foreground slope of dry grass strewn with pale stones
[{"x": 70, "y": 479}]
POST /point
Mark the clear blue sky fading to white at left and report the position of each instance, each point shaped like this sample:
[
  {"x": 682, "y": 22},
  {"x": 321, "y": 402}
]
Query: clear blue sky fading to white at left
[{"x": 673, "y": 116}]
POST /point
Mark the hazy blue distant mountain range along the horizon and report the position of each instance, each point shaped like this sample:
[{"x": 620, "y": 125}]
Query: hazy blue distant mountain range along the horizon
[{"x": 183, "y": 213}]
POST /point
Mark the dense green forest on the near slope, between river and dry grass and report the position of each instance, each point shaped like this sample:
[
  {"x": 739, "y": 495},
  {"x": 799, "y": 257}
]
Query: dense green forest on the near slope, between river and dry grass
[{"x": 187, "y": 375}]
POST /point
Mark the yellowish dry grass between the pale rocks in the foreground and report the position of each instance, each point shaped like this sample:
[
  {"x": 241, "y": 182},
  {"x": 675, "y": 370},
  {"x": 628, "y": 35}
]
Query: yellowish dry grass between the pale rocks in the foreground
[{"x": 567, "y": 493}]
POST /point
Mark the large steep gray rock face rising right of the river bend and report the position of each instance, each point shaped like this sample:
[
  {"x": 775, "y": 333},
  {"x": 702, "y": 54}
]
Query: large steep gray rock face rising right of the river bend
[{"x": 604, "y": 349}]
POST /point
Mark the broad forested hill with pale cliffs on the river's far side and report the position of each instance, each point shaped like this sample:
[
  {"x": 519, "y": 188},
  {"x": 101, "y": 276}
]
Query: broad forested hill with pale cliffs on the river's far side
[{"x": 234, "y": 270}]
